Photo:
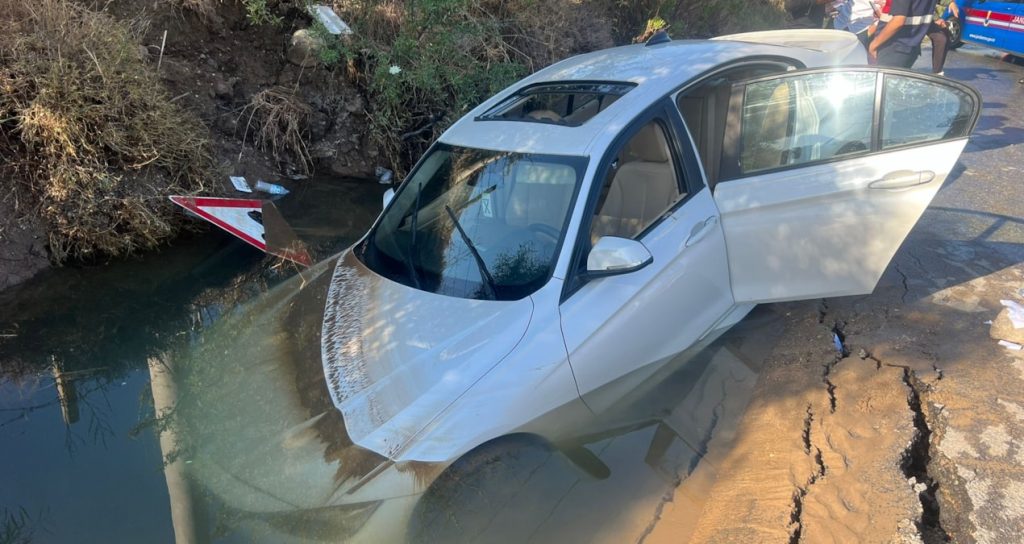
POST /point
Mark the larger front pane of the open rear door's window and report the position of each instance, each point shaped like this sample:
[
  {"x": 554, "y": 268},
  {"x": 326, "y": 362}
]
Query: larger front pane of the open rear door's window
[{"x": 802, "y": 119}]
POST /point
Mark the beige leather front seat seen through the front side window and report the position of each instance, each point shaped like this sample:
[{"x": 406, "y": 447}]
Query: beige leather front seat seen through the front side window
[{"x": 644, "y": 189}]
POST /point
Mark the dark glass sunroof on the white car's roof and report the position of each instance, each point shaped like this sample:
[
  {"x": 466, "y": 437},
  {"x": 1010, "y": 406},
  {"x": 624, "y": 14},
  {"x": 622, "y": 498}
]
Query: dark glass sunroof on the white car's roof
[{"x": 560, "y": 104}]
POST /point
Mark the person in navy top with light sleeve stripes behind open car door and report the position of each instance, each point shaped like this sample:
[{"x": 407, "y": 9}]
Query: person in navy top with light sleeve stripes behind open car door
[{"x": 898, "y": 43}]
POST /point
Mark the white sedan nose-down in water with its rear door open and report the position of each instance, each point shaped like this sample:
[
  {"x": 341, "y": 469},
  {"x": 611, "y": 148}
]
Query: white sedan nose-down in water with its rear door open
[{"x": 553, "y": 253}]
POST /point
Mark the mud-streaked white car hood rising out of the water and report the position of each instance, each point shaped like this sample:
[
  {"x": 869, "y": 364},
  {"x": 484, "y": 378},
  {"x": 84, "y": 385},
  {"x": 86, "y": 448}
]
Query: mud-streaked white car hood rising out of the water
[{"x": 395, "y": 357}]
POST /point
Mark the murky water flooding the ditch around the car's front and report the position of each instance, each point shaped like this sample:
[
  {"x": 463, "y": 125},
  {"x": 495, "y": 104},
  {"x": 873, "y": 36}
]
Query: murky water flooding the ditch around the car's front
[{"x": 126, "y": 391}]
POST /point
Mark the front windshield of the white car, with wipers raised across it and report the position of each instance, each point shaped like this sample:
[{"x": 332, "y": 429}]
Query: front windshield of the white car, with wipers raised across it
[{"x": 477, "y": 224}]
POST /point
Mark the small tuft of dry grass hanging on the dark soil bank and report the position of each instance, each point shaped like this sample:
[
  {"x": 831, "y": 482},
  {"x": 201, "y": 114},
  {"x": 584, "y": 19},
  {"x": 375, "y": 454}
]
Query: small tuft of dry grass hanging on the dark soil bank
[{"x": 278, "y": 120}]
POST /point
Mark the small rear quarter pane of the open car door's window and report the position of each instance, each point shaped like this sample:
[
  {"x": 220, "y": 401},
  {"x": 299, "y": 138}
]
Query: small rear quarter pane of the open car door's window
[{"x": 917, "y": 112}]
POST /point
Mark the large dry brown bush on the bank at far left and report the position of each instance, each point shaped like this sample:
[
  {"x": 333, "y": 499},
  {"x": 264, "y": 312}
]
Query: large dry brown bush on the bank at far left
[{"x": 89, "y": 139}]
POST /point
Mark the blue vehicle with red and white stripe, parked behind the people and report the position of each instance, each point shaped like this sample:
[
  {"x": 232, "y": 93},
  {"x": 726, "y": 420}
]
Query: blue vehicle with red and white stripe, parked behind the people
[{"x": 996, "y": 25}]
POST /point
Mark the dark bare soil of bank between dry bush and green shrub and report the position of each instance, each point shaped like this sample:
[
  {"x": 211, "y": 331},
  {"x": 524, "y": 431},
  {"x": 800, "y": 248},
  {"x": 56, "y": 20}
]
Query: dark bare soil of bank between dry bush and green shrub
[{"x": 215, "y": 65}]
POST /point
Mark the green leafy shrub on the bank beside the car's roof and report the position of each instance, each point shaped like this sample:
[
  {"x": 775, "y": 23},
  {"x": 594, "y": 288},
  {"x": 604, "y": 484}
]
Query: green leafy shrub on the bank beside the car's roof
[{"x": 425, "y": 63}]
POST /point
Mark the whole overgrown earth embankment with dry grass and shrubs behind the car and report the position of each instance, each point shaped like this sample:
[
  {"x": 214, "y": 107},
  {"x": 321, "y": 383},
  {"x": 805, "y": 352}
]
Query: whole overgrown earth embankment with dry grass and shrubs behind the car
[{"x": 108, "y": 108}]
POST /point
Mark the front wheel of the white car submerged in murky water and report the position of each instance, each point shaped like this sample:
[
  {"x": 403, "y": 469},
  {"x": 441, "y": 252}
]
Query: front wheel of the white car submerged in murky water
[{"x": 465, "y": 500}]
